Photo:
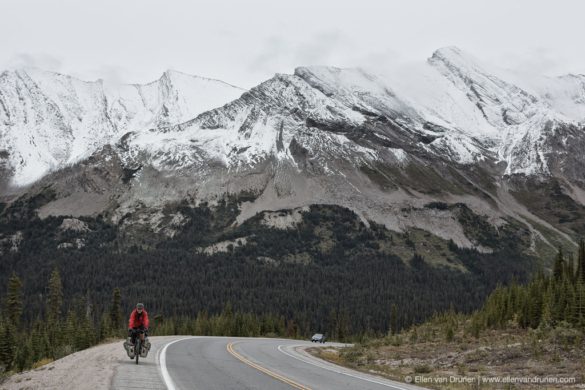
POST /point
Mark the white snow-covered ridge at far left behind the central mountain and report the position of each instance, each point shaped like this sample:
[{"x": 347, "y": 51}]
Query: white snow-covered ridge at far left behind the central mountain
[{"x": 48, "y": 120}]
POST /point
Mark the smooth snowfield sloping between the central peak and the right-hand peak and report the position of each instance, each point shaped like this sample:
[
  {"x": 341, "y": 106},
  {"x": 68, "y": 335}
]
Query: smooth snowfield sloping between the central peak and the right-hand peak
[{"x": 420, "y": 100}]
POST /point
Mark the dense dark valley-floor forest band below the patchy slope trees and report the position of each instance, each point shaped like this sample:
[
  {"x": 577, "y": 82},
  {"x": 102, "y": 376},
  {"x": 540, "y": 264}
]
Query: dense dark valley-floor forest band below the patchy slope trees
[{"x": 357, "y": 291}]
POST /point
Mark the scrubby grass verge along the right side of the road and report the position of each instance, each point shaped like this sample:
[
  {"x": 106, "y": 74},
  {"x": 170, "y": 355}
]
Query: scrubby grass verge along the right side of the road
[{"x": 446, "y": 348}]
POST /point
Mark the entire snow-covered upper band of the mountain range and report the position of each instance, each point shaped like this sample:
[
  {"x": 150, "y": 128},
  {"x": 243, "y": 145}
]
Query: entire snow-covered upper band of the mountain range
[{"x": 453, "y": 107}]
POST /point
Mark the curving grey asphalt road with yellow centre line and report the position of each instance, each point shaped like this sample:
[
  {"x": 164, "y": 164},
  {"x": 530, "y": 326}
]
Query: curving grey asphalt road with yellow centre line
[{"x": 257, "y": 363}]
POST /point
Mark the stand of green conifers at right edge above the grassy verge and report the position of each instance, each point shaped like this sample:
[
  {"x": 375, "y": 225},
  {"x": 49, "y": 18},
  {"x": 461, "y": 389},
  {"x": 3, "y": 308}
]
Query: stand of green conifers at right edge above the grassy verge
[{"x": 547, "y": 301}]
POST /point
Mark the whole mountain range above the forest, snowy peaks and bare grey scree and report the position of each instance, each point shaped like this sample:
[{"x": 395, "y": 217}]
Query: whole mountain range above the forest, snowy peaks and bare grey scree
[{"x": 450, "y": 130}]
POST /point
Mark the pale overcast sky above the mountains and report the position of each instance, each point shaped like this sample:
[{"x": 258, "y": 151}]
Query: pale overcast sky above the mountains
[{"x": 245, "y": 42}]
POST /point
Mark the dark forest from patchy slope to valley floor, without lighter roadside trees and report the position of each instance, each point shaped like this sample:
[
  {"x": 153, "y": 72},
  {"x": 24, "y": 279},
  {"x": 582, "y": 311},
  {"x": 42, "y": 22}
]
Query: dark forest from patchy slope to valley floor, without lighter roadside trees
[{"x": 329, "y": 266}]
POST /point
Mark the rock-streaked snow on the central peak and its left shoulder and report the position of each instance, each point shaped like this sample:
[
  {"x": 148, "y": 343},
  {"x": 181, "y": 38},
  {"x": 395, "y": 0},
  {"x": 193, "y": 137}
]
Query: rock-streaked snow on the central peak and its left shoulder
[{"x": 261, "y": 124}]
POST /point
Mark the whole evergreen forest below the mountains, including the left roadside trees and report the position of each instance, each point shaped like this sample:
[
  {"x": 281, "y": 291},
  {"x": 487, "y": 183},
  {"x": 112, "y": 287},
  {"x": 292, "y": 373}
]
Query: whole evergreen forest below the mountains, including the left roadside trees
[{"x": 348, "y": 289}]
